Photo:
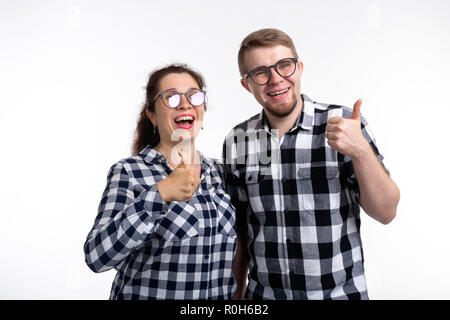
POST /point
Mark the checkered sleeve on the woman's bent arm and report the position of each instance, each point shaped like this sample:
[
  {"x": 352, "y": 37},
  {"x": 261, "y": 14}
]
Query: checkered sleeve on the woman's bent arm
[{"x": 124, "y": 221}]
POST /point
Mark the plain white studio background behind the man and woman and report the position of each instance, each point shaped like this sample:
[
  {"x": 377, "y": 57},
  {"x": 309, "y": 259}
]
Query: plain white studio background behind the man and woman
[{"x": 72, "y": 75}]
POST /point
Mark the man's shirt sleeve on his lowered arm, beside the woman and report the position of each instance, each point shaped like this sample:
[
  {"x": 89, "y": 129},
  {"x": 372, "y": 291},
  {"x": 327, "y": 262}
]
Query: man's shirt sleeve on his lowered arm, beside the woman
[{"x": 233, "y": 187}]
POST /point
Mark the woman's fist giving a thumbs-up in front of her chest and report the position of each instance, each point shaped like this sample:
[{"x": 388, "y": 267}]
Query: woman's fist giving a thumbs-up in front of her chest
[{"x": 180, "y": 185}]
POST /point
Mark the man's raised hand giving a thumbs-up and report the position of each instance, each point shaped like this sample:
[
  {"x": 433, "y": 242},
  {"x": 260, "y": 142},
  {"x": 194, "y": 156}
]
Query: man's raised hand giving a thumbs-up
[{"x": 345, "y": 135}]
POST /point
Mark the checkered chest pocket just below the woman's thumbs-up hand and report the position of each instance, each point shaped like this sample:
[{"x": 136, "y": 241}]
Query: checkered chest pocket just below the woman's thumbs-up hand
[{"x": 179, "y": 223}]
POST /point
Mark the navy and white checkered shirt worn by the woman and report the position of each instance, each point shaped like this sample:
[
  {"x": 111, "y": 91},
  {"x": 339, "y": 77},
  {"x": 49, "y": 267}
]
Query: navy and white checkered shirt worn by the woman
[{"x": 183, "y": 250}]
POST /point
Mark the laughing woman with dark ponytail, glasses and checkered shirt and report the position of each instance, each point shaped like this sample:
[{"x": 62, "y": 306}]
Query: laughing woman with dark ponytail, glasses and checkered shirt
[{"x": 165, "y": 222}]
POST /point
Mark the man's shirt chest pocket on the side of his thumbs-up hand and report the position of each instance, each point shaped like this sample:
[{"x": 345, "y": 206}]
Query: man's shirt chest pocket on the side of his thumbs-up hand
[{"x": 320, "y": 189}]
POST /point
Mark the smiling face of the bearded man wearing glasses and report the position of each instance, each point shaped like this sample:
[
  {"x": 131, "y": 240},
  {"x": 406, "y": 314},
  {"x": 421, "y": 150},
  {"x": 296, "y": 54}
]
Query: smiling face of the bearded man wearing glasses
[{"x": 279, "y": 96}]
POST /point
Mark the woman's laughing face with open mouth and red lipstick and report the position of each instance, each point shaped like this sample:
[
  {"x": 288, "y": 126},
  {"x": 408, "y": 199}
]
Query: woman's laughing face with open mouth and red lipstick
[{"x": 180, "y": 123}]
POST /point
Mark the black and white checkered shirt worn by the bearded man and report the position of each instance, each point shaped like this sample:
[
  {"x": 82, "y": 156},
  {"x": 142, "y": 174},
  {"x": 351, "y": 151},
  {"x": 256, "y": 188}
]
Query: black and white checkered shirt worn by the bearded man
[{"x": 297, "y": 202}]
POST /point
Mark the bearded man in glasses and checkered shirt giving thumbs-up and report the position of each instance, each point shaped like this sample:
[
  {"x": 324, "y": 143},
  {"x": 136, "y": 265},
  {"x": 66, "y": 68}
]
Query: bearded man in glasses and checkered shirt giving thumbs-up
[{"x": 297, "y": 174}]
